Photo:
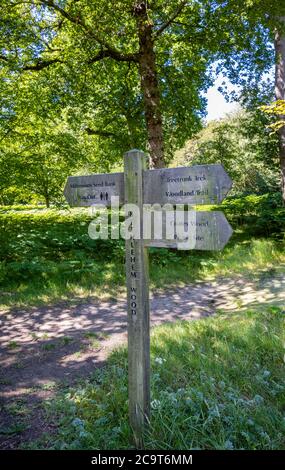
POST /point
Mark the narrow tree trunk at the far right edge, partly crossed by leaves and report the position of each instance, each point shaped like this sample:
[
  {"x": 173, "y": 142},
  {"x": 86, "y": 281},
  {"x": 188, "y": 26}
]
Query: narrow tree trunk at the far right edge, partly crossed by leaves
[{"x": 280, "y": 95}]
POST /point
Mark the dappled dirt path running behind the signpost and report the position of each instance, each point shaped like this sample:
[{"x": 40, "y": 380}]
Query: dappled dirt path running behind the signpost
[{"x": 43, "y": 348}]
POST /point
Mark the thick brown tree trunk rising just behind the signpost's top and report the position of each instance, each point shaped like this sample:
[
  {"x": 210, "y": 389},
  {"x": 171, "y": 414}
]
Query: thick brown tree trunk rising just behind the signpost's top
[{"x": 149, "y": 85}]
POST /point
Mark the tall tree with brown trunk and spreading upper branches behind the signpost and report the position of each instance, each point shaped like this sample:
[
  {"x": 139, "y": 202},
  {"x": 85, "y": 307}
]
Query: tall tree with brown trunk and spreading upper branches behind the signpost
[{"x": 70, "y": 33}]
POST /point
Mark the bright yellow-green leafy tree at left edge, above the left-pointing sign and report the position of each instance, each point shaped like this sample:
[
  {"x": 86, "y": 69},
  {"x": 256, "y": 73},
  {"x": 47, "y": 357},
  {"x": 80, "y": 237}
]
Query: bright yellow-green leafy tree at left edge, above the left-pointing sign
[{"x": 39, "y": 148}]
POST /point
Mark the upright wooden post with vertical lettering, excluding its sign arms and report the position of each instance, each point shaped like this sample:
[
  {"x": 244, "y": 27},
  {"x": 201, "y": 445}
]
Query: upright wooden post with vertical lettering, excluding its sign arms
[{"x": 138, "y": 303}]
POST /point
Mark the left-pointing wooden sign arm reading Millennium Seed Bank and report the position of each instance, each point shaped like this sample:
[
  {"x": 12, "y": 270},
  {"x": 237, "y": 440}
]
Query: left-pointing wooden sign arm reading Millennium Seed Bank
[{"x": 92, "y": 190}]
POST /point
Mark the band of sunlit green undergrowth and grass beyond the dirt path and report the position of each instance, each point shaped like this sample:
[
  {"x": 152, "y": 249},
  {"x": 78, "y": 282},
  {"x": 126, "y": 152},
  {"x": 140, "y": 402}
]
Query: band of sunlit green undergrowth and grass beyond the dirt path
[{"x": 47, "y": 256}]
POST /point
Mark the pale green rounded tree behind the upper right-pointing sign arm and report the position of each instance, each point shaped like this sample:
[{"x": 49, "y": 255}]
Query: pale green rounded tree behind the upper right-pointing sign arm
[{"x": 244, "y": 145}]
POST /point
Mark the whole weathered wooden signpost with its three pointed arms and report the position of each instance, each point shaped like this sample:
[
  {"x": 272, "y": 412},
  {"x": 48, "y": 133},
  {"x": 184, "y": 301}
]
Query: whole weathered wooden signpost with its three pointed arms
[{"x": 201, "y": 184}]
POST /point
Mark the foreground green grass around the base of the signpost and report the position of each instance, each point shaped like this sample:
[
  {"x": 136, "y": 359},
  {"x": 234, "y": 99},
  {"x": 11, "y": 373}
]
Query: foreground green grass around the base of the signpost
[{"x": 217, "y": 383}]
